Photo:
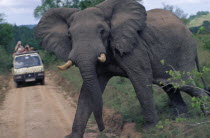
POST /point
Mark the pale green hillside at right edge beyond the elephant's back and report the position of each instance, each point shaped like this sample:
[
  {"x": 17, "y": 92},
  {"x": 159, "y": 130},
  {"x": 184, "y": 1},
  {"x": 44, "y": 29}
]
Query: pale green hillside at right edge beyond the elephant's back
[{"x": 199, "y": 21}]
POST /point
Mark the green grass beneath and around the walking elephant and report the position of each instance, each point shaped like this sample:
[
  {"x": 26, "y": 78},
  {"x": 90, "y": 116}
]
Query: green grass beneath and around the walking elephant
[{"x": 120, "y": 96}]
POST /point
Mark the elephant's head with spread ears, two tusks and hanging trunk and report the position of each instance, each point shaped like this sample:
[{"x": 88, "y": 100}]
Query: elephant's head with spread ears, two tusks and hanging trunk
[{"x": 83, "y": 38}]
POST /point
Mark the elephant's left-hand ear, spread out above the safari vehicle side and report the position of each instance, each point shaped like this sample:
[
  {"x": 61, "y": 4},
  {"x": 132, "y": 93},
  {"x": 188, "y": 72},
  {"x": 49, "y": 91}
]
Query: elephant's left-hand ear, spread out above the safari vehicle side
[{"x": 52, "y": 30}]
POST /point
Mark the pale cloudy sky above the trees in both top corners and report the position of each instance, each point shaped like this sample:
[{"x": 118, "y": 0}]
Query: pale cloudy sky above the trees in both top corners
[{"x": 21, "y": 11}]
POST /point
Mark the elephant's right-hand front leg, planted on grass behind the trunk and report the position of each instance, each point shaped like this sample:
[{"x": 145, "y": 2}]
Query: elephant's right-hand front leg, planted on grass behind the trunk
[{"x": 139, "y": 71}]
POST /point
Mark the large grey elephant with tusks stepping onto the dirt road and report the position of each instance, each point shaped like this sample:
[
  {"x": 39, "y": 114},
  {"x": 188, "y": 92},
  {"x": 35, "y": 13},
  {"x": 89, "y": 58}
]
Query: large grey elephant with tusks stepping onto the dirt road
[{"x": 120, "y": 38}]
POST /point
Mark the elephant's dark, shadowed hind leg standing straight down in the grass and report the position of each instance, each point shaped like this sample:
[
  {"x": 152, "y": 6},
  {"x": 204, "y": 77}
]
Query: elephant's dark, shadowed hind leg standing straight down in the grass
[{"x": 176, "y": 101}]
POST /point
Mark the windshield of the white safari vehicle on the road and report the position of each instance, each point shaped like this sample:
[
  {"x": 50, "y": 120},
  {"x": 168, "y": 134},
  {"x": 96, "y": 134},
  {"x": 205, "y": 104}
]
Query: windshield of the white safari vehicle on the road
[{"x": 27, "y": 61}]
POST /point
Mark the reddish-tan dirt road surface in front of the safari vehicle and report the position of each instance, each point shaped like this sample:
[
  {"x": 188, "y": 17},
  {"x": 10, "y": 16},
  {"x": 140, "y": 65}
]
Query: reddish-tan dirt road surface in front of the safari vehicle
[{"x": 38, "y": 111}]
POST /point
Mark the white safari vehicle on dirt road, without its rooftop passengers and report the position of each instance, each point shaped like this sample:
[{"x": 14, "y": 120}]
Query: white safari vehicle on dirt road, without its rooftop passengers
[{"x": 28, "y": 67}]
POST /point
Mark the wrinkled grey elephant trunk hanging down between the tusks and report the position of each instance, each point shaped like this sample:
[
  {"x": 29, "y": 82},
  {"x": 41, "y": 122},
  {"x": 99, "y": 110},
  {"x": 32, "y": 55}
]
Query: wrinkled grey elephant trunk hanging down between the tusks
[{"x": 87, "y": 68}]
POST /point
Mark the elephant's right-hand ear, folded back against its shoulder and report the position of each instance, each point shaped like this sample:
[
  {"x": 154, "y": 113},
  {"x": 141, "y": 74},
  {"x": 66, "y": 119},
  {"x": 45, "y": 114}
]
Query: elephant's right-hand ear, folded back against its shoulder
[{"x": 127, "y": 18}]
